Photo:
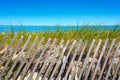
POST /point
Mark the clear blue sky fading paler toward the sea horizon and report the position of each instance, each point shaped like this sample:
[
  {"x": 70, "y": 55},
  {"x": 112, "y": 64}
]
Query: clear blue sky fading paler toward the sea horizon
[{"x": 59, "y": 12}]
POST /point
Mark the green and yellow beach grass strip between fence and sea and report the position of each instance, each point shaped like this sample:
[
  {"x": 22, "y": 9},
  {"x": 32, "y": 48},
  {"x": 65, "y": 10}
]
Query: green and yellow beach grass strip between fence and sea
[{"x": 85, "y": 33}]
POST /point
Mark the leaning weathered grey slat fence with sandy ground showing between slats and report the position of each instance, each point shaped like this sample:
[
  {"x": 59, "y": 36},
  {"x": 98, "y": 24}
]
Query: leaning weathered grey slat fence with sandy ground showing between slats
[{"x": 55, "y": 63}]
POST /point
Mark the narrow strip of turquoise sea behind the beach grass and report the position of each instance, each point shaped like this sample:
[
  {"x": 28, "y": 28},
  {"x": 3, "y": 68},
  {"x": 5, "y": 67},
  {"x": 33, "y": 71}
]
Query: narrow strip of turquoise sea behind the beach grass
[{"x": 5, "y": 28}]
